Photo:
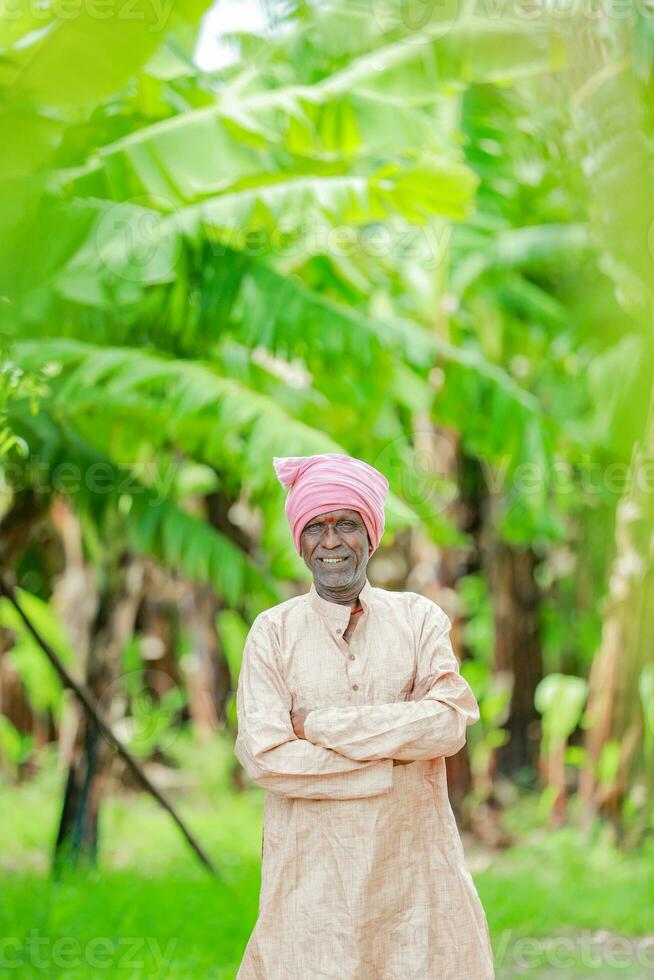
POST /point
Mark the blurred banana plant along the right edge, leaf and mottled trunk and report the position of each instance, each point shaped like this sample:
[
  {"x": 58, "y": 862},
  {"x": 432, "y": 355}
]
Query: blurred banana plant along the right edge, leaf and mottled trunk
[{"x": 613, "y": 129}]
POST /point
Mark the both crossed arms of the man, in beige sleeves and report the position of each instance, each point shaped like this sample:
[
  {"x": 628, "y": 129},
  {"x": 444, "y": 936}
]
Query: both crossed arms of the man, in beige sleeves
[{"x": 349, "y": 752}]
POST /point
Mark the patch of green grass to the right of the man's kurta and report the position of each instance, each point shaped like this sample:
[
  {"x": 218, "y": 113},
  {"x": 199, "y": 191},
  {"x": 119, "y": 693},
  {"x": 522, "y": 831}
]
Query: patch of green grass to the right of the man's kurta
[{"x": 560, "y": 907}]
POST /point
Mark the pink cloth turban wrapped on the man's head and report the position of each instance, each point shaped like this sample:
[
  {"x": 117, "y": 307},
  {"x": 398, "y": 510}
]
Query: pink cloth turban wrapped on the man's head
[{"x": 332, "y": 481}]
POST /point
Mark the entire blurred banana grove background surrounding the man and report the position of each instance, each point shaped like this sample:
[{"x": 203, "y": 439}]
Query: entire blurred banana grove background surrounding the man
[{"x": 417, "y": 232}]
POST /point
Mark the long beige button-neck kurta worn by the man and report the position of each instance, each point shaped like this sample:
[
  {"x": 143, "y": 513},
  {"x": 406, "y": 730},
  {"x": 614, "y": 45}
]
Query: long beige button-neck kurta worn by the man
[{"x": 363, "y": 874}]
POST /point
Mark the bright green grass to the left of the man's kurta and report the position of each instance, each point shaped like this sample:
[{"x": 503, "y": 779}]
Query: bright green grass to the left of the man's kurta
[{"x": 150, "y": 909}]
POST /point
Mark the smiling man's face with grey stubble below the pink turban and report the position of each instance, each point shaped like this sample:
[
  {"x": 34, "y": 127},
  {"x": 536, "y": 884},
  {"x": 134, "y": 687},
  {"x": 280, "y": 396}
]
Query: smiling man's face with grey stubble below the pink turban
[{"x": 336, "y": 534}]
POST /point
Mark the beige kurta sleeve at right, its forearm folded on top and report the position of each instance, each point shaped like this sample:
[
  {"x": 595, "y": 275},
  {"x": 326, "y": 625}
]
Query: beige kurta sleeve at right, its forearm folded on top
[{"x": 432, "y": 726}]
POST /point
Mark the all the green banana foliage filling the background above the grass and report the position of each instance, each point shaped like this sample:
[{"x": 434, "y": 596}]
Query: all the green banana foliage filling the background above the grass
[{"x": 384, "y": 217}]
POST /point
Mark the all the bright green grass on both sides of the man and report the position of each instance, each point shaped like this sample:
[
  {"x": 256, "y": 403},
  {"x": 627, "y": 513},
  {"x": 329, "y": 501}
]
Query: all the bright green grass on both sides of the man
[{"x": 150, "y": 910}]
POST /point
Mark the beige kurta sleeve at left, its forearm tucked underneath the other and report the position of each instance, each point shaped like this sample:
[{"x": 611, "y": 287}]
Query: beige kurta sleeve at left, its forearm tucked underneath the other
[{"x": 268, "y": 748}]
